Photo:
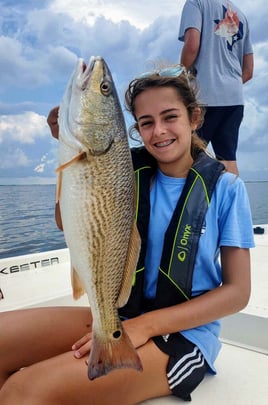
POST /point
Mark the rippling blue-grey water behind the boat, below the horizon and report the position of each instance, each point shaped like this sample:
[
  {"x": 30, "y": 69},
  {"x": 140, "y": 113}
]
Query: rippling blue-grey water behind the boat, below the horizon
[{"x": 27, "y": 223}]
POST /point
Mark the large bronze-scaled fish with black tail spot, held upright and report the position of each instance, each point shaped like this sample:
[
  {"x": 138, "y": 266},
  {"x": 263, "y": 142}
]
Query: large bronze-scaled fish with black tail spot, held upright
[{"x": 96, "y": 192}]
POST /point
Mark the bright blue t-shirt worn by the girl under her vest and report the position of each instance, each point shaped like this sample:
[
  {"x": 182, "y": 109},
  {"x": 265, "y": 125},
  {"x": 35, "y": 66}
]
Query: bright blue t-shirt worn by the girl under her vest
[{"x": 227, "y": 223}]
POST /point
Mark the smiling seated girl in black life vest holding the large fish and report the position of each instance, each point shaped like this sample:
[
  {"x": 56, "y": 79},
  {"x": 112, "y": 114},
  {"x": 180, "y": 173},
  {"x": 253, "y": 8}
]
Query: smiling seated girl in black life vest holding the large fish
[{"x": 190, "y": 213}]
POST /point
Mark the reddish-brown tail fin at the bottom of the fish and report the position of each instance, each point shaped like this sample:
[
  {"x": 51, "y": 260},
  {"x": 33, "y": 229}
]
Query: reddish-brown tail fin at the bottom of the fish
[{"x": 114, "y": 354}]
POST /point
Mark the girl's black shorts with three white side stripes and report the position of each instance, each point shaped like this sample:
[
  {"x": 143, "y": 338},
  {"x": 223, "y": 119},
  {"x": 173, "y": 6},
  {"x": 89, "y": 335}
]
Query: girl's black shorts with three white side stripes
[{"x": 186, "y": 366}]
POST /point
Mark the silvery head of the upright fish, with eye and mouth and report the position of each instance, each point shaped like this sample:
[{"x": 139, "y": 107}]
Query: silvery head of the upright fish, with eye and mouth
[{"x": 90, "y": 117}]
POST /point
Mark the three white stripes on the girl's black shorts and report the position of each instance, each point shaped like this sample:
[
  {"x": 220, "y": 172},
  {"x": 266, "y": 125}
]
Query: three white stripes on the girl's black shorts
[{"x": 192, "y": 361}]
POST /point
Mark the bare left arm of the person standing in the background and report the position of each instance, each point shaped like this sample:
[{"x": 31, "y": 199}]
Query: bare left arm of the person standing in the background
[{"x": 190, "y": 48}]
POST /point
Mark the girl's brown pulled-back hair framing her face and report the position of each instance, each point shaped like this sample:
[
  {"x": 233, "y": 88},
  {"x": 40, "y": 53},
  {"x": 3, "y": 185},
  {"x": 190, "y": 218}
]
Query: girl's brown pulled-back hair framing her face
[{"x": 187, "y": 90}]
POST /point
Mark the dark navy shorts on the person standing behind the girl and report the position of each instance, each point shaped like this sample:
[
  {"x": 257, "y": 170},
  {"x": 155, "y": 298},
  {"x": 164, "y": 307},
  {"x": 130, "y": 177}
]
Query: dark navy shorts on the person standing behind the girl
[{"x": 221, "y": 129}]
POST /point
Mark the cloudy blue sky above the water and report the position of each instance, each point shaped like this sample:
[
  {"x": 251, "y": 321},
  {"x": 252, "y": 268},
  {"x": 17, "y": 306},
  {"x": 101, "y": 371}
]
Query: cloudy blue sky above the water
[{"x": 40, "y": 41}]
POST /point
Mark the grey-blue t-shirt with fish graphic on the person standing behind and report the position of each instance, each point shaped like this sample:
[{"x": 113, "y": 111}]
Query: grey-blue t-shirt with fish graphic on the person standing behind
[{"x": 222, "y": 49}]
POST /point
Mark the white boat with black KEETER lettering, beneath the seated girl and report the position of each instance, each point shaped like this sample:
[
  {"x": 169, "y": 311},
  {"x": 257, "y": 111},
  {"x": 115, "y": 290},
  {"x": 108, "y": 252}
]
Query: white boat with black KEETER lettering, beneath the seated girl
[{"x": 43, "y": 279}]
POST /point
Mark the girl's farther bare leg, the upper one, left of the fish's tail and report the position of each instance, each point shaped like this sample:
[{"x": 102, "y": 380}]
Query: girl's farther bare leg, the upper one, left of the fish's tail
[{"x": 32, "y": 335}]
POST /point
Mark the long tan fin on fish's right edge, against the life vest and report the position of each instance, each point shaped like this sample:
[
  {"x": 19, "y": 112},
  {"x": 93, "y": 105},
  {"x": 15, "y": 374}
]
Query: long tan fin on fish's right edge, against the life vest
[{"x": 131, "y": 263}]
